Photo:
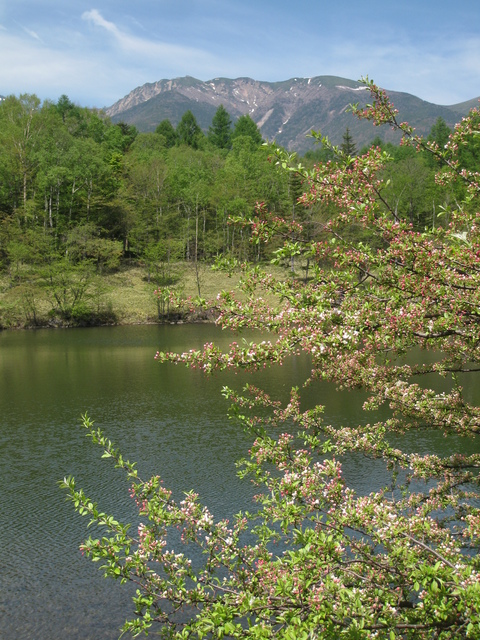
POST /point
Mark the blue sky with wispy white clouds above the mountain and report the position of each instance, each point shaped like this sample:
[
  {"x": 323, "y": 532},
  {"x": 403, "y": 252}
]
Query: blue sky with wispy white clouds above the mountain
[{"x": 98, "y": 51}]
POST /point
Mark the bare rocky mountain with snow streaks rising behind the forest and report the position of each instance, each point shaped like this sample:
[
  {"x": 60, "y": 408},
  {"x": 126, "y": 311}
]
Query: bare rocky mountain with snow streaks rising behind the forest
[{"x": 285, "y": 111}]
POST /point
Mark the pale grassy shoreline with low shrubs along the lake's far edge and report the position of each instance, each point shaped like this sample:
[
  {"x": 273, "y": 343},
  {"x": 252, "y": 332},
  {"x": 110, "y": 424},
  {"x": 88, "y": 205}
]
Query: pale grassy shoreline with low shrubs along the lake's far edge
[{"x": 119, "y": 299}]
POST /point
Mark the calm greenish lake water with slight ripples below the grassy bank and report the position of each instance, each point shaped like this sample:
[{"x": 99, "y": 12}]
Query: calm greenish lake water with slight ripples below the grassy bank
[{"x": 170, "y": 420}]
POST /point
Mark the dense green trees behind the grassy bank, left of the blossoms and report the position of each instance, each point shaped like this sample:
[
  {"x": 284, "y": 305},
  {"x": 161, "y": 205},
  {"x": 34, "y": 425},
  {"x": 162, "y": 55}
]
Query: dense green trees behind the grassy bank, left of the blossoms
[{"x": 72, "y": 183}]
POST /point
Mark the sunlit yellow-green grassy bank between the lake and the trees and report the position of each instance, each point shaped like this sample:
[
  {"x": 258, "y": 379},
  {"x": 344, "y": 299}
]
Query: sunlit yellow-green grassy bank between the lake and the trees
[{"x": 124, "y": 297}]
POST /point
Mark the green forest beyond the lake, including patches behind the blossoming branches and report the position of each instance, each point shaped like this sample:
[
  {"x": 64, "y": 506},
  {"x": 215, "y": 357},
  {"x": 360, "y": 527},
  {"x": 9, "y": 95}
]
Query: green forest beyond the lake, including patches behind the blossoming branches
[{"x": 82, "y": 198}]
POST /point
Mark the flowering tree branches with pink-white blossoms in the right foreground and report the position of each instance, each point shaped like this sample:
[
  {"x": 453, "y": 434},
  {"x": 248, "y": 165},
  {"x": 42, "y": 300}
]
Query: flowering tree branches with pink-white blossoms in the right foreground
[{"x": 401, "y": 562}]
